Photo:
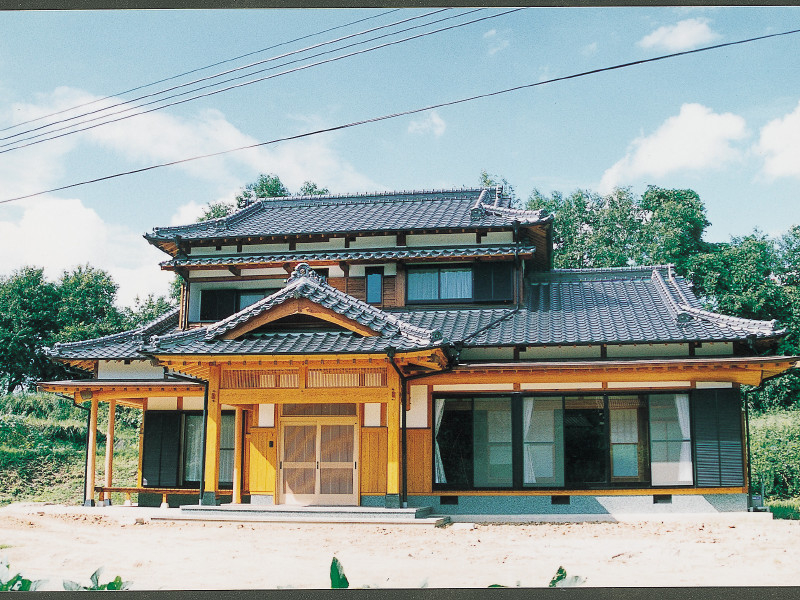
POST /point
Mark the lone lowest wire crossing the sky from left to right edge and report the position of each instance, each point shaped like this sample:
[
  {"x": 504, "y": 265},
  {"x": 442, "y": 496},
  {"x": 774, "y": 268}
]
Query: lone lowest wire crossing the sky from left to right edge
[{"x": 404, "y": 113}]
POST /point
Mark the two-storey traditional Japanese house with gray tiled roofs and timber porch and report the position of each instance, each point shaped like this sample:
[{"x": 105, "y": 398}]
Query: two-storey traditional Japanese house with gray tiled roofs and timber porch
[{"x": 418, "y": 348}]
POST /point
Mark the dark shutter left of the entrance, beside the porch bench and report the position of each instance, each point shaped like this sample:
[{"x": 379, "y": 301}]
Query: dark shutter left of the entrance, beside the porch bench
[{"x": 162, "y": 438}]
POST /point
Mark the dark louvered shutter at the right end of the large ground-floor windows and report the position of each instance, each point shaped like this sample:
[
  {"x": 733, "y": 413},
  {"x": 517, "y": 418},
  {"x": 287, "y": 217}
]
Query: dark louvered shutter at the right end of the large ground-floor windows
[{"x": 717, "y": 422}]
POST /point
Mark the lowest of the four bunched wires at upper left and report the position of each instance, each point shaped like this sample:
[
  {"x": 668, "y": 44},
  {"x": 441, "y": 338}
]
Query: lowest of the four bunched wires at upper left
[{"x": 17, "y": 145}]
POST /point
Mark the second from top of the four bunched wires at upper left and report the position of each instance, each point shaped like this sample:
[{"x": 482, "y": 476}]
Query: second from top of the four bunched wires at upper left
[{"x": 175, "y": 87}]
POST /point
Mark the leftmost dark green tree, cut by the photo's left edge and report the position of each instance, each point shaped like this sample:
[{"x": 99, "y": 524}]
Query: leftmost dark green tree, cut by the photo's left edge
[{"x": 28, "y": 322}]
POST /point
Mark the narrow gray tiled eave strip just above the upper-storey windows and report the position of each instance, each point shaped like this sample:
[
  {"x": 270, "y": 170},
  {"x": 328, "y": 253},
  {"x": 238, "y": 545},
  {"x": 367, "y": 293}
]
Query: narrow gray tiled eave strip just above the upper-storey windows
[{"x": 383, "y": 254}]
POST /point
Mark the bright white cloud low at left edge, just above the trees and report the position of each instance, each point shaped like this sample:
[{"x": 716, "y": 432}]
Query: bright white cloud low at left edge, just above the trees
[{"x": 61, "y": 233}]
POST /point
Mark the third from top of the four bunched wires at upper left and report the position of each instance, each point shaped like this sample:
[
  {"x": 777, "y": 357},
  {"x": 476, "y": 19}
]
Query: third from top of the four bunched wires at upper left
[{"x": 18, "y": 143}]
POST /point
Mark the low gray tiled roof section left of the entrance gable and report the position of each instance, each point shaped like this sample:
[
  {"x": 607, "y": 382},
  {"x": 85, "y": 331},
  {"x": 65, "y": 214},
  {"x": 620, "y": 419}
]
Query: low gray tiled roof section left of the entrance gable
[{"x": 119, "y": 346}]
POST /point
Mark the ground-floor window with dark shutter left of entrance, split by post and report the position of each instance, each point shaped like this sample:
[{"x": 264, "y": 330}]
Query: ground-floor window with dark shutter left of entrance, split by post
[{"x": 173, "y": 449}]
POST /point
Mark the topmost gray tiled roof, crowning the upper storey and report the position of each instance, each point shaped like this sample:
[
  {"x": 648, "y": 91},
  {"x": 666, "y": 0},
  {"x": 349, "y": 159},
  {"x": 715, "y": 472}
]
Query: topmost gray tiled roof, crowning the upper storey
[{"x": 395, "y": 211}]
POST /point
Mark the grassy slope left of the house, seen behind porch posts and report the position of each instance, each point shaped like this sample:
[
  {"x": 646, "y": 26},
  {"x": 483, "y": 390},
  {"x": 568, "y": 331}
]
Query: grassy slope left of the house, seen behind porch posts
[{"x": 42, "y": 449}]
